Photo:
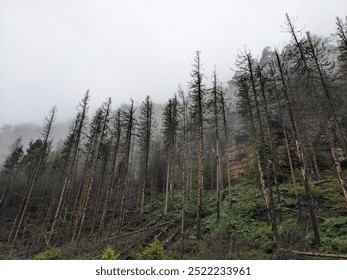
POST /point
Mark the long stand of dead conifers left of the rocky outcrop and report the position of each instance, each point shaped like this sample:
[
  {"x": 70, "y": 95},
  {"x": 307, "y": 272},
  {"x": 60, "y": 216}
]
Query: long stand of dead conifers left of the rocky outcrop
[{"x": 111, "y": 166}]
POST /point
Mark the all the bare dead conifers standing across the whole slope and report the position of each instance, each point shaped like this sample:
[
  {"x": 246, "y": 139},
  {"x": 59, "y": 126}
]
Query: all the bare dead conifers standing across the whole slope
[{"x": 110, "y": 167}]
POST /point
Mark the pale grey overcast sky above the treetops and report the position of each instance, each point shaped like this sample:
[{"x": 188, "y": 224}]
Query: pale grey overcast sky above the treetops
[{"x": 51, "y": 51}]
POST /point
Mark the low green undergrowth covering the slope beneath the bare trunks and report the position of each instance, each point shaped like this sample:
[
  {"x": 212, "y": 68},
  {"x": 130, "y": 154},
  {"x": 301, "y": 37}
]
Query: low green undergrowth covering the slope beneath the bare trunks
[{"x": 242, "y": 232}]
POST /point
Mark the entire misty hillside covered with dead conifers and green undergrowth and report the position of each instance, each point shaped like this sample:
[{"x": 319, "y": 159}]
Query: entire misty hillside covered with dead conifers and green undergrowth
[{"x": 253, "y": 171}]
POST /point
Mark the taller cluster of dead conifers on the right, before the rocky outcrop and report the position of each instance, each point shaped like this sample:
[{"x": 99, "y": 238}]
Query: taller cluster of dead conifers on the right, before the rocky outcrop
[{"x": 298, "y": 92}]
